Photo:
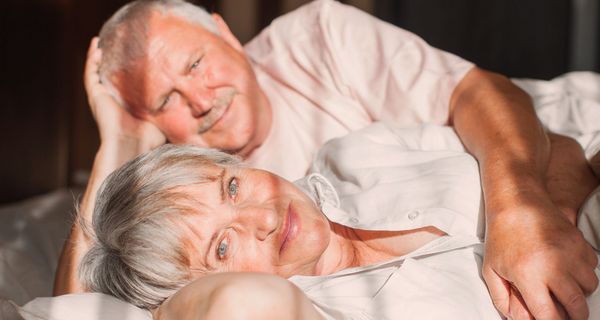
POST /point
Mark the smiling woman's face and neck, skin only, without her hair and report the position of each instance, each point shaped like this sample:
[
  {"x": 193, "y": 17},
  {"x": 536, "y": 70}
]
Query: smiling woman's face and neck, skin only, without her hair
[{"x": 250, "y": 220}]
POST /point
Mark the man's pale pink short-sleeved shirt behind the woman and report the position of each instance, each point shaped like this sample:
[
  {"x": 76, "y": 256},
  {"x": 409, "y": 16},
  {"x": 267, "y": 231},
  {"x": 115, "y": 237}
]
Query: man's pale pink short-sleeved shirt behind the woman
[{"x": 329, "y": 69}]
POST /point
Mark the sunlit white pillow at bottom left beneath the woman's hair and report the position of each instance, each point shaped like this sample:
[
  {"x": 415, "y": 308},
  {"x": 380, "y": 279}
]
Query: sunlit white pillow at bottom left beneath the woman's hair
[{"x": 82, "y": 306}]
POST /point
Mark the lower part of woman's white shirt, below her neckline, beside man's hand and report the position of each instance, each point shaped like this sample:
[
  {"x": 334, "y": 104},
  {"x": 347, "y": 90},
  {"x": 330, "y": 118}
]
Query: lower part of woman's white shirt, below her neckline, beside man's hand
[{"x": 438, "y": 281}]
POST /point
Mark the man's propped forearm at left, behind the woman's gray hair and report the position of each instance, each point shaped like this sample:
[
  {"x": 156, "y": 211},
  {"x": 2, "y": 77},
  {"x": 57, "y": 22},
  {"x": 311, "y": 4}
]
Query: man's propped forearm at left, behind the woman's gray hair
[{"x": 108, "y": 158}]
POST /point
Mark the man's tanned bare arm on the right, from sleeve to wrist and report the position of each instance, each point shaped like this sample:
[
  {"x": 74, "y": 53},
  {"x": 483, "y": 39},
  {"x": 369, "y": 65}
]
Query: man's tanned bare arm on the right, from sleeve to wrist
[{"x": 497, "y": 123}]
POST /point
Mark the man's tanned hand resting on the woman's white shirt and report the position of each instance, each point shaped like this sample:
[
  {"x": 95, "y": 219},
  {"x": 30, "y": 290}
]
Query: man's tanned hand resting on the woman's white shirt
[{"x": 537, "y": 264}]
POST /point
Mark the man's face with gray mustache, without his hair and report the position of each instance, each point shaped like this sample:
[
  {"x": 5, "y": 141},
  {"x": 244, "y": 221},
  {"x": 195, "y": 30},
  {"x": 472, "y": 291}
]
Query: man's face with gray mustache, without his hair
[{"x": 203, "y": 93}]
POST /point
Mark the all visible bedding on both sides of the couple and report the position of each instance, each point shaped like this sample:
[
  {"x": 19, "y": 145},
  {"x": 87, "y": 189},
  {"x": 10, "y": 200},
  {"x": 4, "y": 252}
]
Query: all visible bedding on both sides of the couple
[{"x": 32, "y": 231}]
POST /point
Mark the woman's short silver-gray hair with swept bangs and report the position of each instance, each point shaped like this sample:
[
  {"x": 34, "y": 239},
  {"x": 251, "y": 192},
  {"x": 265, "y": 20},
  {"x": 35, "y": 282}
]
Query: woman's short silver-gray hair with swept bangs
[{"x": 137, "y": 253}]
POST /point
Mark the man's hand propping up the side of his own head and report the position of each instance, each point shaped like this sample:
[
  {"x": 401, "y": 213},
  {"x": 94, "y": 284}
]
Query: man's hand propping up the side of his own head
[{"x": 115, "y": 123}]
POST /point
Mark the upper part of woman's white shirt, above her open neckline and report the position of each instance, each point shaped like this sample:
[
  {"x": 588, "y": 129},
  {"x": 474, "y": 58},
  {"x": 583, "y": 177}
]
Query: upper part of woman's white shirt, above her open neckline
[{"x": 407, "y": 178}]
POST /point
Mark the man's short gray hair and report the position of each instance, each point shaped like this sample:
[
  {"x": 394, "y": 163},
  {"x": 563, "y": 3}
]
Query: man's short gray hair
[{"x": 124, "y": 36}]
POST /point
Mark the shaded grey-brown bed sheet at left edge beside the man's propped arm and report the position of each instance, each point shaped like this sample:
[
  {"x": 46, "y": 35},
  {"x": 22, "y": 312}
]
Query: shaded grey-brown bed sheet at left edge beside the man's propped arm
[{"x": 31, "y": 238}]
